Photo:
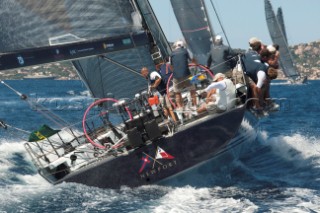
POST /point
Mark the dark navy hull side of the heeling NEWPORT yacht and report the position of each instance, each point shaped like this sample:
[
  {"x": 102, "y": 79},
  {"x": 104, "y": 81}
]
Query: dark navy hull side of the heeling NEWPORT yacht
[{"x": 190, "y": 146}]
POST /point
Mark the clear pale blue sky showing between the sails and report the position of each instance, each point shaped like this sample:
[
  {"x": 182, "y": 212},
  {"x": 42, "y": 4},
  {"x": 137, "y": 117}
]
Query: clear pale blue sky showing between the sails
[{"x": 243, "y": 19}]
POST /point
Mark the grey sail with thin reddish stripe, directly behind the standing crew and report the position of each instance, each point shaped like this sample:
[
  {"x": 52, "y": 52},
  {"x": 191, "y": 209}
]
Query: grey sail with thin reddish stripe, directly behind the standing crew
[{"x": 195, "y": 27}]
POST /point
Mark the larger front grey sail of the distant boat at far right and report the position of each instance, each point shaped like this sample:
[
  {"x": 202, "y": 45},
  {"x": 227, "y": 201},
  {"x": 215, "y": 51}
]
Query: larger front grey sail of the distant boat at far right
[{"x": 278, "y": 37}]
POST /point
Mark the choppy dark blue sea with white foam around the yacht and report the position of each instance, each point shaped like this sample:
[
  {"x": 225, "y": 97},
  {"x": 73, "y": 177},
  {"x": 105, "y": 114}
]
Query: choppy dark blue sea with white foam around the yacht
[{"x": 279, "y": 172}]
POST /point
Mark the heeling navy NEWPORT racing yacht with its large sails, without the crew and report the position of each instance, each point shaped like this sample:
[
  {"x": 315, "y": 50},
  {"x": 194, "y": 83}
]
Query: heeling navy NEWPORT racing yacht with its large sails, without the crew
[{"x": 122, "y": 138}]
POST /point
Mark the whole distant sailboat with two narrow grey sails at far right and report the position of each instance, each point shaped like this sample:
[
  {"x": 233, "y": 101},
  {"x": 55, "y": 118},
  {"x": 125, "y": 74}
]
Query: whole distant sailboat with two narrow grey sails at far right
[{"x": 278, "y": 35}]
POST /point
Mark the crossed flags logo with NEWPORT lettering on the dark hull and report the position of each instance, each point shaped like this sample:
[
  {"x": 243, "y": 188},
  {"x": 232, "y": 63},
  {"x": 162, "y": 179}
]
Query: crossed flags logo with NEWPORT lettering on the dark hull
[{"x": 152, "y": 165}]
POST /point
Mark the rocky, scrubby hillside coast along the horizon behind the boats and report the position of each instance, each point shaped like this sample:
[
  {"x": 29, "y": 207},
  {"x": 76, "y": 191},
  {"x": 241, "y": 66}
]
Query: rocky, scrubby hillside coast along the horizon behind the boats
[{"x": 306, "y": 57}]
